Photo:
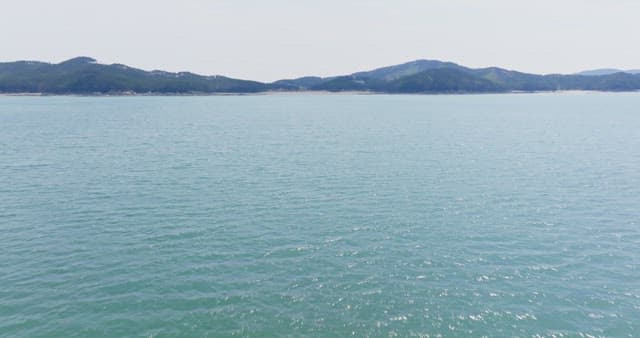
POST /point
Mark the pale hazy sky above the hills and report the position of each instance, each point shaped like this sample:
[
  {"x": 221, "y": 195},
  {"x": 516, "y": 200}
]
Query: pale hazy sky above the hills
[{"x": 273, "y": 39}]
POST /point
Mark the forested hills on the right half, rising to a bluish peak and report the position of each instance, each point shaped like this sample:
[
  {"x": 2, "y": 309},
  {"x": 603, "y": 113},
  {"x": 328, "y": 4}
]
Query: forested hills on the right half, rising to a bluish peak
[{"x": 430, "y": 76}]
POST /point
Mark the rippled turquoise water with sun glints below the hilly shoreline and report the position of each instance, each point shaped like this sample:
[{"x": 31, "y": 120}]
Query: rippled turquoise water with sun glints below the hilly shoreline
[{"x": 312, "y": 215}]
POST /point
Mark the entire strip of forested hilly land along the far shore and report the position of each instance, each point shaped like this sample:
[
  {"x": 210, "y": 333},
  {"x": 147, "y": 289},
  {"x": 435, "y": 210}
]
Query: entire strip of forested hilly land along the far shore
[{"x": 83, "y": 75}]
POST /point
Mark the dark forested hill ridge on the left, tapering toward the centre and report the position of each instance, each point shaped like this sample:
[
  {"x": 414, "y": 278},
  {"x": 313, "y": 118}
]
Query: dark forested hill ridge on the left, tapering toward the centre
[{"x": 83, "y": 75}]
